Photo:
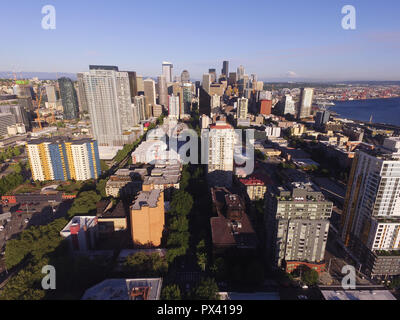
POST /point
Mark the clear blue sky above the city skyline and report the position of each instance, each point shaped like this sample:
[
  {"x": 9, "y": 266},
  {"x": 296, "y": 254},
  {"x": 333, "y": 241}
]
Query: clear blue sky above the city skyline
[{"x": 277, "y": 40}]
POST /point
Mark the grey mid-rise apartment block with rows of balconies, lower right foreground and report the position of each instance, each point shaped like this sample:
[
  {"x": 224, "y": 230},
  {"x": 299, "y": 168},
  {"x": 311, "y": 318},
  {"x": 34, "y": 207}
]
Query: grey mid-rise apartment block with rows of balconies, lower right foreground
[{"x": 297, "y": 223}]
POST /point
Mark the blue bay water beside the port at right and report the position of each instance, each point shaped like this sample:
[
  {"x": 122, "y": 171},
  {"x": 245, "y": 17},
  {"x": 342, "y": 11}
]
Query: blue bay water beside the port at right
[{"x": 382, "y": 110}]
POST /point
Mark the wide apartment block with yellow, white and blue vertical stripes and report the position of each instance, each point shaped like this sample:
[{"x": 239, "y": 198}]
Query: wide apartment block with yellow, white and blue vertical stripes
[{"x": 55, "y": 159}]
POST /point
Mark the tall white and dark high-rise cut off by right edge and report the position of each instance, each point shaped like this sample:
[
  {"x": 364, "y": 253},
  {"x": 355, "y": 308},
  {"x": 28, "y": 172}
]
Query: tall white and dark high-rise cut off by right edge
[{"x": 371, "y": 214}]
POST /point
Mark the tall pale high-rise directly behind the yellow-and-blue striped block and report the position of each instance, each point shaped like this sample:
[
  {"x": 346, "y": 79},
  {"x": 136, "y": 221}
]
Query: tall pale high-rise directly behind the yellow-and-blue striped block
[{"x": 110, "y": 106}]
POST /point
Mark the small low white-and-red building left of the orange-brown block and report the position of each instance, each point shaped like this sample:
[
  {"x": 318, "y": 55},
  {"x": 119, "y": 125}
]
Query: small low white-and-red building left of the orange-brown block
[{"x": 81, "y": 233}]
